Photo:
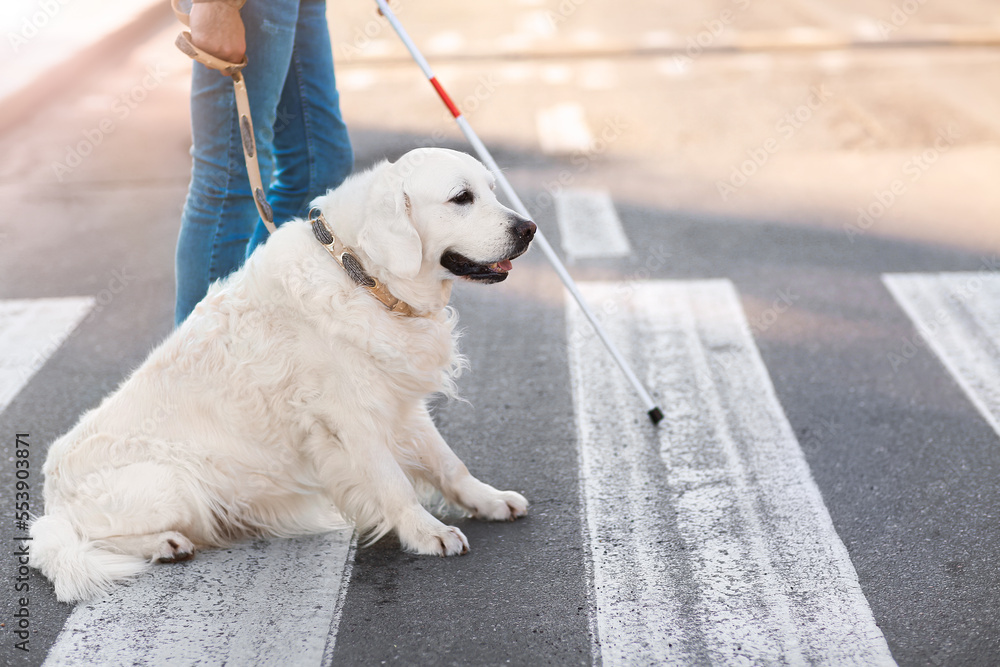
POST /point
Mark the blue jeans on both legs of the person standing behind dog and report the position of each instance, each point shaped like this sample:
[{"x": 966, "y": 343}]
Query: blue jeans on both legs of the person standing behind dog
[{"x": 302, "y": 142}]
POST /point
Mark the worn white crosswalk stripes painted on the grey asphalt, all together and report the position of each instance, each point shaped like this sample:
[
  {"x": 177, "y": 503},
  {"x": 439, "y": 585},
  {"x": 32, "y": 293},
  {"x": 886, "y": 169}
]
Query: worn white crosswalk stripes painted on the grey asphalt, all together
[{"x": 708, "y": 540}]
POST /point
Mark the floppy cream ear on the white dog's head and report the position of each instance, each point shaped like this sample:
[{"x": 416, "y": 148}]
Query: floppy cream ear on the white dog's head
[{"x": 388, "y": 235}]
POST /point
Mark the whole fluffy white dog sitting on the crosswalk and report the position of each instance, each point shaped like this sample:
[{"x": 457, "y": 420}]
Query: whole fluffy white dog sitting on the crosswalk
[{"x": 292, "y": 397}]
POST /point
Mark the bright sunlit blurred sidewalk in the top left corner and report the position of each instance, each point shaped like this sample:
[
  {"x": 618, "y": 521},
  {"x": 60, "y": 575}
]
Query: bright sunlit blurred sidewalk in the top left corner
[{"x": 51, "y": 43}]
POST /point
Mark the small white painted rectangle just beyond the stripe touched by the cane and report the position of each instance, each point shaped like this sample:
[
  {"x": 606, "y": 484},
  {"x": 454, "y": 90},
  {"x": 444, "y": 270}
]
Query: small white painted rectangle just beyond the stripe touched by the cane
[{"x": 589, "y": 226}]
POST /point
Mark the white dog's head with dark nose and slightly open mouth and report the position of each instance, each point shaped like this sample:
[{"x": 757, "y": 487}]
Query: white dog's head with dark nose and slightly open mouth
[{"x": 433, "y": 212}]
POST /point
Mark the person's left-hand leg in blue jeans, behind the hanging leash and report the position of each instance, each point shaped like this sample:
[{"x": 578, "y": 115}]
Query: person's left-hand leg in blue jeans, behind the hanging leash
[{"x": 219, "y": 214}]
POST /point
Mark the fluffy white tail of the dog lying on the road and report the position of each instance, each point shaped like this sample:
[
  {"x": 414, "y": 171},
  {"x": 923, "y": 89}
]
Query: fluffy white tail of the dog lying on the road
[{"x": 79, "y": 569}]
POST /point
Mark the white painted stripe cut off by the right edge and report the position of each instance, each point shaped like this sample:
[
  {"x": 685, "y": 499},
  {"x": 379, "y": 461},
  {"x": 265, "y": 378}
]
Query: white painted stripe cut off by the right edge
[{"x": 958, "y": 314}]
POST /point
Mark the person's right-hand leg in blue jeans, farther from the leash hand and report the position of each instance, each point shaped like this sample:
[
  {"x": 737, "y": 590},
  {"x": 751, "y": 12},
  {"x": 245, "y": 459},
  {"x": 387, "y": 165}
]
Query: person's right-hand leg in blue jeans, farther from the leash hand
[{"x": 312, "y": 150}]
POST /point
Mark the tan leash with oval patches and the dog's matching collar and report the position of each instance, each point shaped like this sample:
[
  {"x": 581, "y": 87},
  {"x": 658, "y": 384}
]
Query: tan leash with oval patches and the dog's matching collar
[{"x": 321, "y": 229}]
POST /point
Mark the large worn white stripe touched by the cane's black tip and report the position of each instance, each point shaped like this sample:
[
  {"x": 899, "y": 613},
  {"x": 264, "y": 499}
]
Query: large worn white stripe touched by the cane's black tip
[{"x": 710, "y": 540}]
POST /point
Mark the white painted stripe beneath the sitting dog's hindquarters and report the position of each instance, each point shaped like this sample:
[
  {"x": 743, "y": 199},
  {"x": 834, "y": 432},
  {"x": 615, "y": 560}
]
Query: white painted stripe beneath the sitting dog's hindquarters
[{"x": 266, "y": 602}]
